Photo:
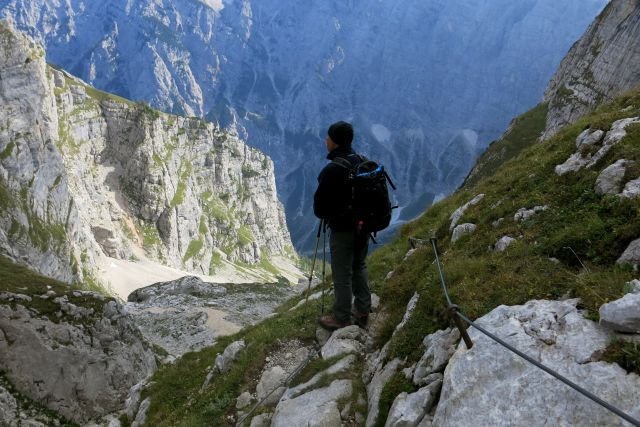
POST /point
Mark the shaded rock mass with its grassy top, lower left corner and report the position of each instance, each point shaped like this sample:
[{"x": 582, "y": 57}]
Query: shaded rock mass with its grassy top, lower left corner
[{"x": 73, "y": 352}]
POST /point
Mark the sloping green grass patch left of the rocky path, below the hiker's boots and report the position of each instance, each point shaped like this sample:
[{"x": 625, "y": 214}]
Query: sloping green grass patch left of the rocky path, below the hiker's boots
[{"x": 175, "y": 394}]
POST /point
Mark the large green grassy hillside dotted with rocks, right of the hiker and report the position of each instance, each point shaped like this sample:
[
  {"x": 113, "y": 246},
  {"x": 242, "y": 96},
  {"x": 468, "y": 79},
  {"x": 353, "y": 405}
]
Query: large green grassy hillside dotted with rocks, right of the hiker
[{"x": 596, "y": 228}]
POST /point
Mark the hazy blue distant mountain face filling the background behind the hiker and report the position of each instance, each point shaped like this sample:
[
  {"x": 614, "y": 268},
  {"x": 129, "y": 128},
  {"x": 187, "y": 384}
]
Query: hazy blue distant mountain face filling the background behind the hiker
[{"x": 427, "y": 84}]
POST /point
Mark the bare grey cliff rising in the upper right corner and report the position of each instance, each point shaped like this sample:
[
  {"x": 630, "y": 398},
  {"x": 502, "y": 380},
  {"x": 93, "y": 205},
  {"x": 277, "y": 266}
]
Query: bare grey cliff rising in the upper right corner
[{"x": 604, "y": 63}]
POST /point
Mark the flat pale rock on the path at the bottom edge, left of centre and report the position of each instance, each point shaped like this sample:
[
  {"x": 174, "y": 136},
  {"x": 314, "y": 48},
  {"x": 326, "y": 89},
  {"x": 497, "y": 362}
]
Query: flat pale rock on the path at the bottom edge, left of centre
[{"x": 316, "y": 408}]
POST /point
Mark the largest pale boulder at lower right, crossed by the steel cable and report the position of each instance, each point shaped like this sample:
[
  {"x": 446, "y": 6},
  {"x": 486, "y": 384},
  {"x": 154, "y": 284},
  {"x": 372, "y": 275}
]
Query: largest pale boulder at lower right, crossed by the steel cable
[{"x": 556, "y": 334}]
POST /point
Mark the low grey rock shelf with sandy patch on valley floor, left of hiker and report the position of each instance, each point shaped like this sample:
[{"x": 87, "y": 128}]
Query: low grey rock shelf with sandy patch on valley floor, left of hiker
[{"x": 189, "y": 314}]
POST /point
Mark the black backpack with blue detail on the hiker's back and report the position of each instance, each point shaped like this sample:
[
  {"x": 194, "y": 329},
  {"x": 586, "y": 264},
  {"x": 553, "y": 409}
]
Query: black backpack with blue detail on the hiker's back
[{"x": 370, "y": 202}]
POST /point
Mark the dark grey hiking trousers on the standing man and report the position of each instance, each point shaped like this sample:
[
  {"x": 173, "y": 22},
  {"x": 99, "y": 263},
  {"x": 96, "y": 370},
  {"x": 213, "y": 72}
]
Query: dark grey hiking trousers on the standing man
[{"x": 348, "y": 255}]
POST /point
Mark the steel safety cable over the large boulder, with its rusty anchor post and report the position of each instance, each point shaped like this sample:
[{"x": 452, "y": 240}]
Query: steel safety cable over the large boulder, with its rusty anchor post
[{"x": 455, "y": 312}]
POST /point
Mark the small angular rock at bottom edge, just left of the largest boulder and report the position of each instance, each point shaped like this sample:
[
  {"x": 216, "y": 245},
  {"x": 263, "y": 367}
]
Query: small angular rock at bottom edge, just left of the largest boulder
[{"x": 409, "y": 409}]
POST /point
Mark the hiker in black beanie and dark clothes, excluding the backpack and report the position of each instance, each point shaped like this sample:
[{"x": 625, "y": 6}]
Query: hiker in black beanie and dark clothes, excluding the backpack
[{"x": 348, "y": 246}]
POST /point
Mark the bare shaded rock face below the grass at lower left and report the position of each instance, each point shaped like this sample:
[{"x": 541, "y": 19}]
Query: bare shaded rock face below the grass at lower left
[{"x": 81, "y": 365}]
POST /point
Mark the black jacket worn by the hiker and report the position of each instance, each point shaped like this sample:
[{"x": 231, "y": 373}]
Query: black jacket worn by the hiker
[{"x": 333, "y": 197}]
